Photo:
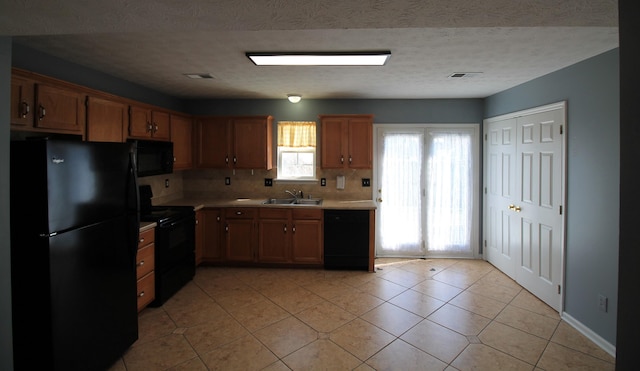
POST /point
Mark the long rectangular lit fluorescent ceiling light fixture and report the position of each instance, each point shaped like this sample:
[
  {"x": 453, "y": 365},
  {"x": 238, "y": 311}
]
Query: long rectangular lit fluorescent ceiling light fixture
[{"x": 374, "y": 58}]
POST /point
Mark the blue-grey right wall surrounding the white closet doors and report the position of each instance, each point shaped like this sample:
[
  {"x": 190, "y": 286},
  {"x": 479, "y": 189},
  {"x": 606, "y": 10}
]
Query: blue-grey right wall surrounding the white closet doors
[{"x": 591, "y": 89}]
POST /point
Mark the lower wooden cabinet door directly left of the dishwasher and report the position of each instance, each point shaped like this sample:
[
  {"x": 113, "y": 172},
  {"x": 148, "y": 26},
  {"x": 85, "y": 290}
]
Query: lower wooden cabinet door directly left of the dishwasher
[{"x": 307, "y": 241}]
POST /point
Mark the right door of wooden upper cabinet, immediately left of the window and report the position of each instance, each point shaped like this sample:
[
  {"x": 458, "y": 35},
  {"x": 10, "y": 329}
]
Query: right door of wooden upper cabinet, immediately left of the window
[{"x": 252, "y": 143}]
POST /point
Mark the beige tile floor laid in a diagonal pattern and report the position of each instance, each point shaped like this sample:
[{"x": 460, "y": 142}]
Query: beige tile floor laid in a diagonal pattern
[{"x": 439, "y": 314}]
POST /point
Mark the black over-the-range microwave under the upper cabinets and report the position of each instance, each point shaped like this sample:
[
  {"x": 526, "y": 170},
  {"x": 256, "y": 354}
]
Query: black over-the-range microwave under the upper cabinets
[{"x": 153, "y": 157}]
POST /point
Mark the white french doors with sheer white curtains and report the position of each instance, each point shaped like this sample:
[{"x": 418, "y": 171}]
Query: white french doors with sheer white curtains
[{"x": 426, "y": 189}]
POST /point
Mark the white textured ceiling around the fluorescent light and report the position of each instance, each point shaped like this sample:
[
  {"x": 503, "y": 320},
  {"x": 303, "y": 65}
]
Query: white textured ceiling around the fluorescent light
[{"x": 153, "y": 43}]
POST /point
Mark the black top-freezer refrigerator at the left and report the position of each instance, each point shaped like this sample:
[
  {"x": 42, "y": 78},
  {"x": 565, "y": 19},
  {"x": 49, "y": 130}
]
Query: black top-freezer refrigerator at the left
[{"x": 74, "y": 232}]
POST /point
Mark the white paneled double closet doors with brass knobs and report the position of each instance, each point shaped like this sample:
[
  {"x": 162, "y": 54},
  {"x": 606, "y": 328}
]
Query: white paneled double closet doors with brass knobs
[{"x": 524, "y": 196}]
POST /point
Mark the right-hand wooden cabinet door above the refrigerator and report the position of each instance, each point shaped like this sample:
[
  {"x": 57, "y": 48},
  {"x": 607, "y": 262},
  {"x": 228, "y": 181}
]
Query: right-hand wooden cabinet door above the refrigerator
[{"x": 59, "y": 109}]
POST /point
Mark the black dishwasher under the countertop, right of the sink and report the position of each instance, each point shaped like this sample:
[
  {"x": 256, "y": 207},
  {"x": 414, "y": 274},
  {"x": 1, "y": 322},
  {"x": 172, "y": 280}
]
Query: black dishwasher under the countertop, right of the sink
[{"x": 346, "y": 239}]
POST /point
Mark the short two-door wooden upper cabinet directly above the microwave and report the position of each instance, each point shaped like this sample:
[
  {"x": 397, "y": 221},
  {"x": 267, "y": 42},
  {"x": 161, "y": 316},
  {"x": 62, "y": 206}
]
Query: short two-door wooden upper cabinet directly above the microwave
[{"x": 145, "y": 123}]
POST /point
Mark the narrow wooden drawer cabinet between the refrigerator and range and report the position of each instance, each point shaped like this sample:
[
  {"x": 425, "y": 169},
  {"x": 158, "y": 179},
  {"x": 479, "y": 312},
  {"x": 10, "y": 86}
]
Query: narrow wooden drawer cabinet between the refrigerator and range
[{"x": 145, "y": 268}]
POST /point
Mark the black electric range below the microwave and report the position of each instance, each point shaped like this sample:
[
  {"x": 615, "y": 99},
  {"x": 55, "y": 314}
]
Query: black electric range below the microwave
[{"x": 175, "y": 263}]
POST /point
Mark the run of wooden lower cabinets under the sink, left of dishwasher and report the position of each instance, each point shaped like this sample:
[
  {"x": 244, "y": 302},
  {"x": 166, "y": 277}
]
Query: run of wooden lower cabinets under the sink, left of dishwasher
[{"x": 260, "y": 236}]
